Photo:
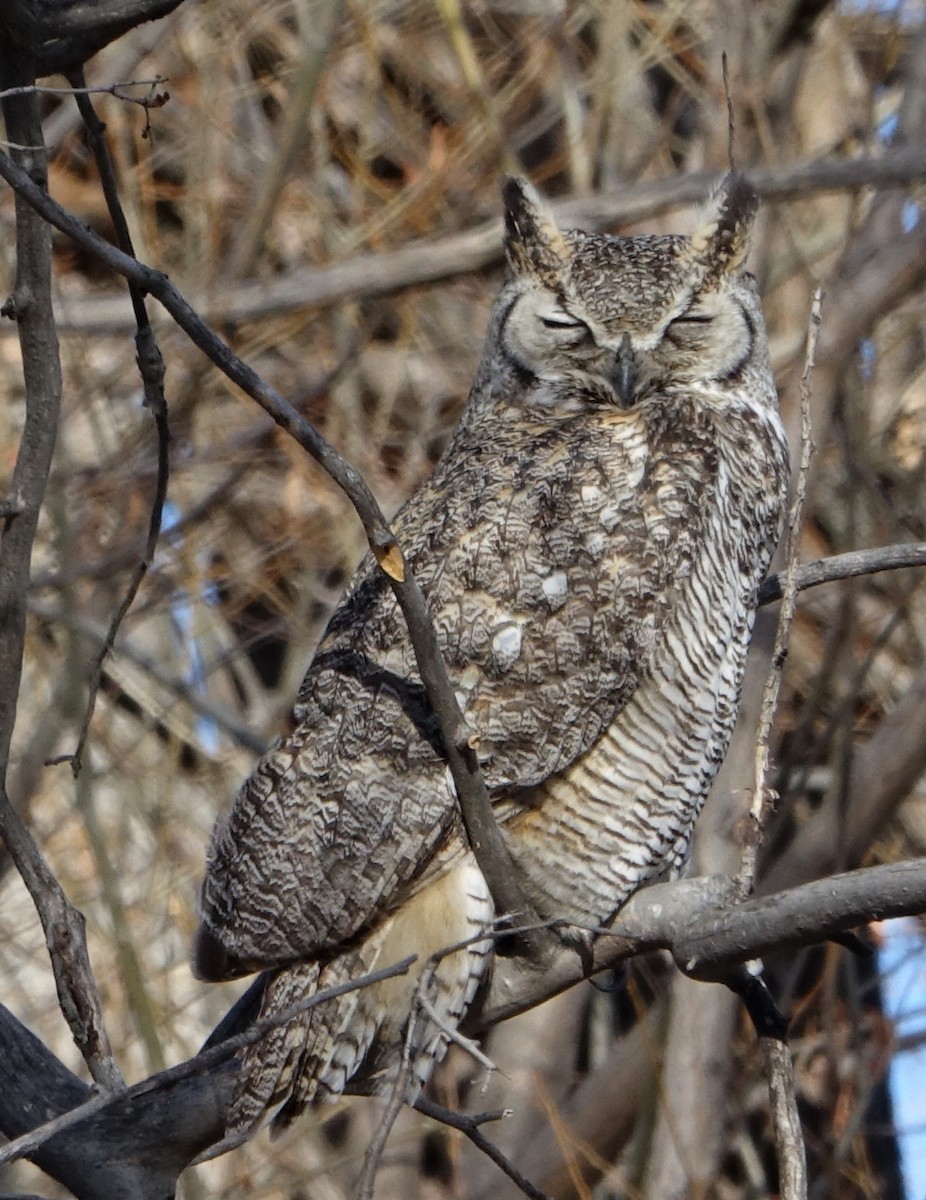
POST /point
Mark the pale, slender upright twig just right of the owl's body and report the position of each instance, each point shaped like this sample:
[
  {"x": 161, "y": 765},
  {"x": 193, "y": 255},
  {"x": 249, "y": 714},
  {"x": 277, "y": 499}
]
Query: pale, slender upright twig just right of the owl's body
[{"x": 762, "y": 796}]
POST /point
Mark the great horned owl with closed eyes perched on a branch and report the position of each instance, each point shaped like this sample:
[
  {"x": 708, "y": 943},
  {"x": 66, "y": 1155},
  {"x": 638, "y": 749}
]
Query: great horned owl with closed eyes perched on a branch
[{"x": 591, "y": 548}]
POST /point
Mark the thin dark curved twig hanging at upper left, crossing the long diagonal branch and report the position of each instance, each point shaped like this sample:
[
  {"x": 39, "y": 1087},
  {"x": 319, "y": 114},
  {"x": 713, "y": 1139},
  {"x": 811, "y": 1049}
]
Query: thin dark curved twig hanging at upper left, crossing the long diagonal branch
[{"x": 152, "y": 369}]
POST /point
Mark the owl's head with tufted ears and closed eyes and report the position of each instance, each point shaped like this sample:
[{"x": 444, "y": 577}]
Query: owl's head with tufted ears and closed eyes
[{"x": 621, "y": 319}]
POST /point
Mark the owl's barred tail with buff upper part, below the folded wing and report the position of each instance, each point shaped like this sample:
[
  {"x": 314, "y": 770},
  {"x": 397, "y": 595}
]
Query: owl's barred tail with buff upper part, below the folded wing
[{"x": 316, "y": 1054}]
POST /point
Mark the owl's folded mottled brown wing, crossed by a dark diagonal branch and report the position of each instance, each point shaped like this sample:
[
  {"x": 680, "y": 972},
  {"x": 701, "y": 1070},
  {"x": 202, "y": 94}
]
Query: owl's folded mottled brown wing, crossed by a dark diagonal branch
[{"x": 549, "y": 575}]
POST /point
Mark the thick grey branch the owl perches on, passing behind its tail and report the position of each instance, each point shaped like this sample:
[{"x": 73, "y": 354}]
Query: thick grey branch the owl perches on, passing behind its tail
[{"x": 181, "y": 1112}]
